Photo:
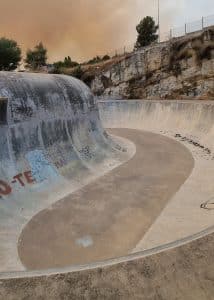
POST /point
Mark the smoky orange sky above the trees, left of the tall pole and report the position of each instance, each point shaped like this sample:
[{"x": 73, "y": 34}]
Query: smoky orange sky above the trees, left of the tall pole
[{"x": 79, "y": 28}]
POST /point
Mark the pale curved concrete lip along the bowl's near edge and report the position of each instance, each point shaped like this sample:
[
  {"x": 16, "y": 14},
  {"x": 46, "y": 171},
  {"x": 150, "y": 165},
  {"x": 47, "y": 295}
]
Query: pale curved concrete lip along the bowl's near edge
[{"x": 110, "y": 262}]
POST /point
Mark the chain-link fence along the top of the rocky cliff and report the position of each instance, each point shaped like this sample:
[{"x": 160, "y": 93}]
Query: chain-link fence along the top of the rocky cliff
[{"x": 191, "y": 27}]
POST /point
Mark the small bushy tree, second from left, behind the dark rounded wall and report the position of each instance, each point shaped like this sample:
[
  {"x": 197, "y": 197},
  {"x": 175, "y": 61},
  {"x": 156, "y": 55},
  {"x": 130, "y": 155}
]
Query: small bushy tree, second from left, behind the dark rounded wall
[{"x": 37, "y": 58}]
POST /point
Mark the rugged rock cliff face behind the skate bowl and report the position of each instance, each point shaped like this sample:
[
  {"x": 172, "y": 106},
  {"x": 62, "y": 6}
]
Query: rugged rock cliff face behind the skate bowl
[{"x": 179, "y": 69}]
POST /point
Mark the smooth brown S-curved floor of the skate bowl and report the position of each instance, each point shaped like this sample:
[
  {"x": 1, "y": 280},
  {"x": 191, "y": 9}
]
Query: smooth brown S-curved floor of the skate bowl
[{"x": 107, "y": 218}]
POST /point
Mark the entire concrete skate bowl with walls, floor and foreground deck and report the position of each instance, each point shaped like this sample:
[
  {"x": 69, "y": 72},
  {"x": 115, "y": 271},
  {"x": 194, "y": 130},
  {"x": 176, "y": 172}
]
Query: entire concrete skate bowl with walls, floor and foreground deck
[{"x": 135, "y": 208}]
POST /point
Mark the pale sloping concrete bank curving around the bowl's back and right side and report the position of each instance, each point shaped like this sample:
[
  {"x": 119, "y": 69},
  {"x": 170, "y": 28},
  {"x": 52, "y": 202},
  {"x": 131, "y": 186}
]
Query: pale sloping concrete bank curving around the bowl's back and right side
[{"x": 191, "y": 123}]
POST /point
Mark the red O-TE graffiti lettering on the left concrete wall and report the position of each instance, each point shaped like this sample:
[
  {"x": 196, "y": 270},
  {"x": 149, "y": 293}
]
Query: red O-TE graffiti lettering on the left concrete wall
[{"x": 21, "y": 179}]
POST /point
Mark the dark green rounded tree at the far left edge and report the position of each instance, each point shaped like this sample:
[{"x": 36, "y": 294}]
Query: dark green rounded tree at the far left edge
[{"x": 10, "y": 54}]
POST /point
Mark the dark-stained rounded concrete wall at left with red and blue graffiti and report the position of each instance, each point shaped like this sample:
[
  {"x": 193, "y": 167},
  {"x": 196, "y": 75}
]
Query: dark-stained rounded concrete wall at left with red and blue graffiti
[{"x": 52, "y": 143}]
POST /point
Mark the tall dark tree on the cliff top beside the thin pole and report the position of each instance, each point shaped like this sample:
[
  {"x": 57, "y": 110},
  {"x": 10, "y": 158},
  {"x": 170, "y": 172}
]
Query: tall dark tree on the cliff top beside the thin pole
[{"x": 146, "y": 30}]
